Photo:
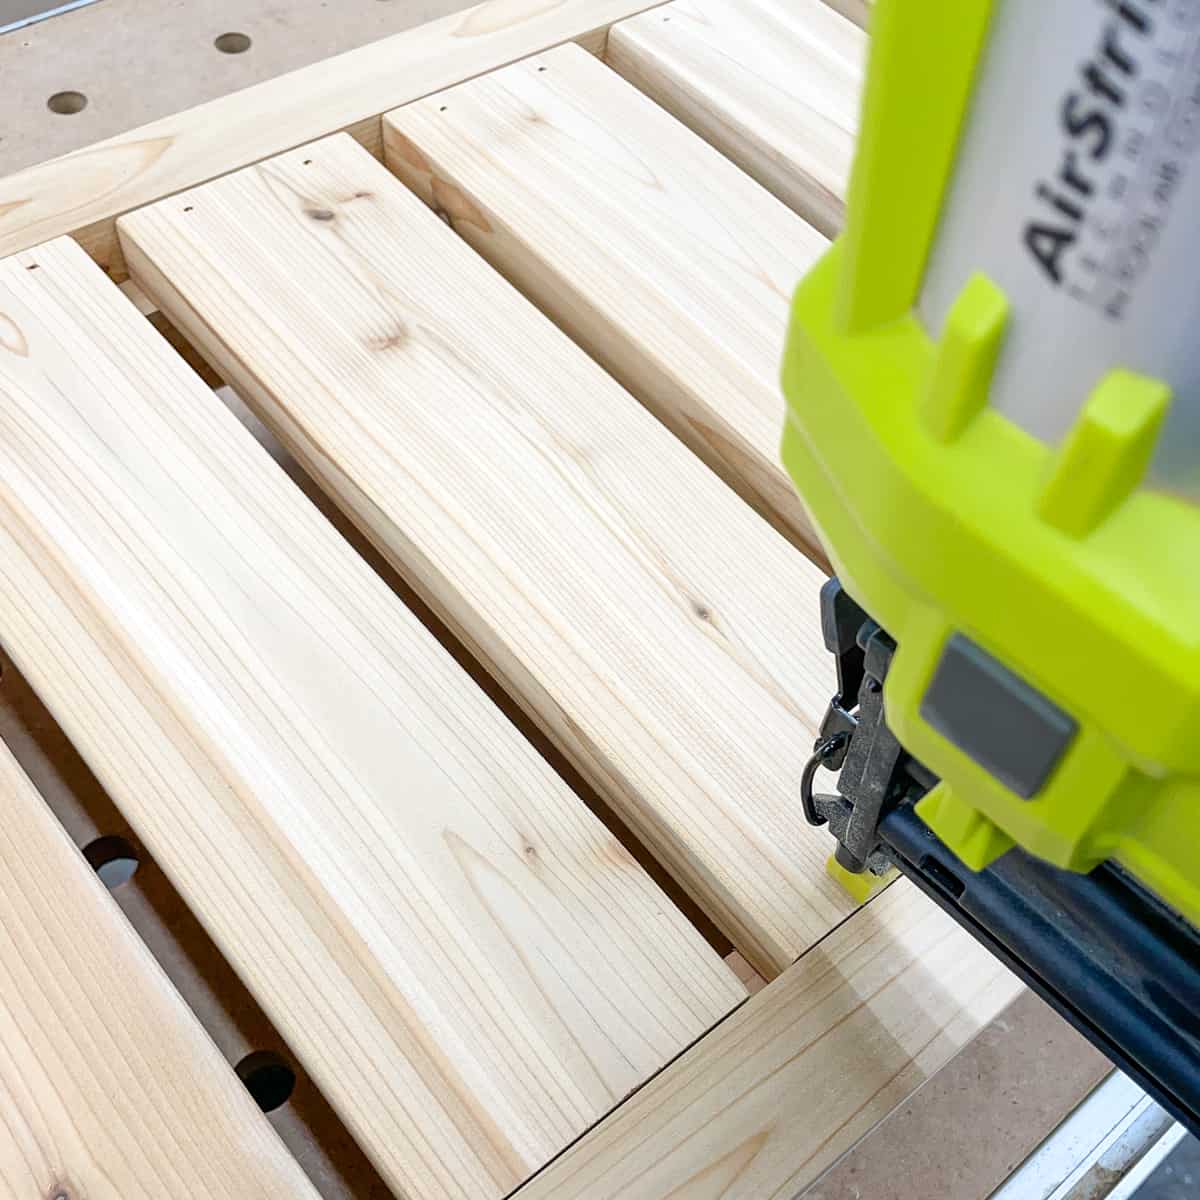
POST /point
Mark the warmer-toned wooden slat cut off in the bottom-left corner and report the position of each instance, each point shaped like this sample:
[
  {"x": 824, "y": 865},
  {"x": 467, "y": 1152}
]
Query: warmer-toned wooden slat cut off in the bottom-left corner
[{"x": 110, "y": 1089}]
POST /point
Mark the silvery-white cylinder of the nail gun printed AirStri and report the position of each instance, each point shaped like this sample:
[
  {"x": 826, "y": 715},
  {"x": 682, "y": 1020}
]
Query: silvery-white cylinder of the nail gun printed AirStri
[{"x": 1077, "y": 190}]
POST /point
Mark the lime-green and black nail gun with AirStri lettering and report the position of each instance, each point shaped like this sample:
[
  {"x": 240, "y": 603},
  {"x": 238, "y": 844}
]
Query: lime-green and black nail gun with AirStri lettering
[{"x": 994, "y": 418}]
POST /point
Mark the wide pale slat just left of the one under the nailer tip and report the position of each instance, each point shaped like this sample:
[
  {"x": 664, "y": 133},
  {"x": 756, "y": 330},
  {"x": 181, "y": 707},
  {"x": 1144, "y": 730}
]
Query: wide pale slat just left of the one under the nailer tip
[{"x": 470, "y": 967}]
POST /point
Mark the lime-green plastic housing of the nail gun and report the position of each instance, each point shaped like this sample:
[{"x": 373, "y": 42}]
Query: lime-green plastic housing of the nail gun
[{"x": 943, "y": 517}]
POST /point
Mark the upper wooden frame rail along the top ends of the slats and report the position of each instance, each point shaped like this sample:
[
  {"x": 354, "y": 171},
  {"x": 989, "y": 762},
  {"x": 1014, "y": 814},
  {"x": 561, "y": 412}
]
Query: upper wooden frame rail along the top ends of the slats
[{"x": 82, "y": 194}]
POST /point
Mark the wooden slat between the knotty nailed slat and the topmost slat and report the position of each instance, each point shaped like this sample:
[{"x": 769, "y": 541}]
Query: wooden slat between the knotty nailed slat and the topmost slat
[{"x": 663, "y": 260}]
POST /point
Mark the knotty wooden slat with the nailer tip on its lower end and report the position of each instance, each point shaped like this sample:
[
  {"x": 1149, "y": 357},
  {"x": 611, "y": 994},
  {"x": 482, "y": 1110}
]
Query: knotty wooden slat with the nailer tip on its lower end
[{"x": 658, "y": 631}]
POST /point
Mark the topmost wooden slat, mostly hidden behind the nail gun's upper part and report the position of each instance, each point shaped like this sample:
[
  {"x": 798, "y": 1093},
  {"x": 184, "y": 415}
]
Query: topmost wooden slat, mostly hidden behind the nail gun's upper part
[{"x": 773, "y": 85}]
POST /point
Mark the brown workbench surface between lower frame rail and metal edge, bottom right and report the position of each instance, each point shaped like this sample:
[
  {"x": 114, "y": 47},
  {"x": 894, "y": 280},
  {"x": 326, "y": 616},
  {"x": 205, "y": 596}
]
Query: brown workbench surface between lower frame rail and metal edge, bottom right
[{"x": 1027, "y": 1072}]
